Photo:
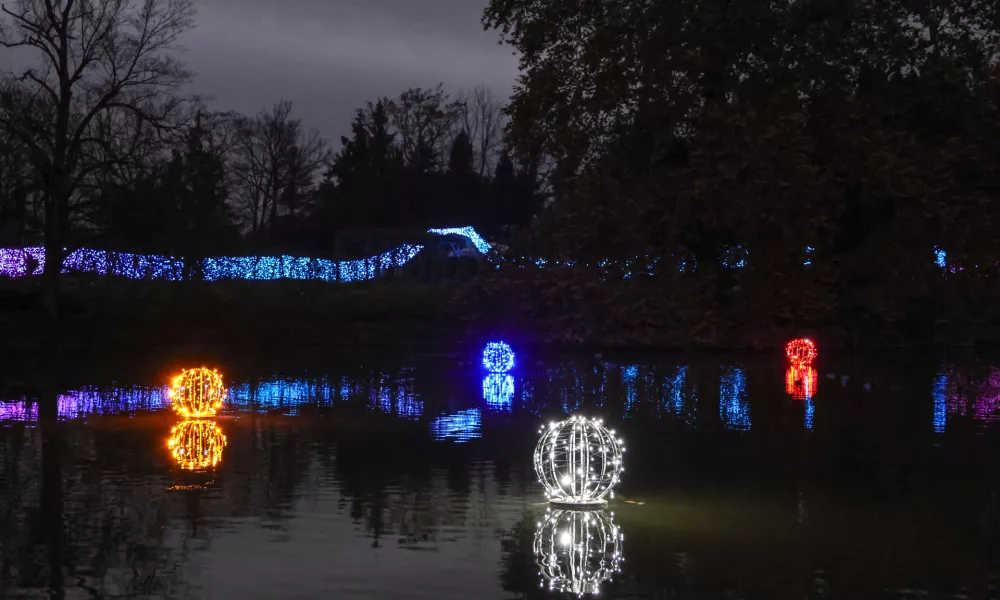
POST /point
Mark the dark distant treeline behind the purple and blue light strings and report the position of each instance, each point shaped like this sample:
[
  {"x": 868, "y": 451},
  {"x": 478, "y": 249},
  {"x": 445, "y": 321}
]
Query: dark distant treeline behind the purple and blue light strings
[{"x": 226, "y": 182}]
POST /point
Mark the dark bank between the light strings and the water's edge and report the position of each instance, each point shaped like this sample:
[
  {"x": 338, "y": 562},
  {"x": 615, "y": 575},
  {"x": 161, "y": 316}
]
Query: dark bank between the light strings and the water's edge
[{"x": 272, "y": 317}]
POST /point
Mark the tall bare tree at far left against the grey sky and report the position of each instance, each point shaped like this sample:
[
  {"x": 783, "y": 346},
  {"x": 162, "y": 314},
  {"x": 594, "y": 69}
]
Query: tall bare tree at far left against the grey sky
[{"x": 100, "y": 64}]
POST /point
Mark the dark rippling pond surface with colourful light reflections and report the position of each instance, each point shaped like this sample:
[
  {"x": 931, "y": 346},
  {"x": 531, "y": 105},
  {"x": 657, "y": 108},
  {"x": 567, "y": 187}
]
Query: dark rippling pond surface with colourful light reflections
[{"x": 411, "y": 476}]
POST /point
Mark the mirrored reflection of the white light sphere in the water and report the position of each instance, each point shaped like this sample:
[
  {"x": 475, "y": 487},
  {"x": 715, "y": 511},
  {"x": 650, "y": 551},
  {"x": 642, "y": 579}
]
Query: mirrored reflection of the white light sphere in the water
[{"x": 577, "y": 550}]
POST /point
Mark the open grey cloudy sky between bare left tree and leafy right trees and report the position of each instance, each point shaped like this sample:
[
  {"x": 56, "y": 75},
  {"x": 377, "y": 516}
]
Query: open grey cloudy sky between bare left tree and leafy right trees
[{"x": 329, "y": 56}]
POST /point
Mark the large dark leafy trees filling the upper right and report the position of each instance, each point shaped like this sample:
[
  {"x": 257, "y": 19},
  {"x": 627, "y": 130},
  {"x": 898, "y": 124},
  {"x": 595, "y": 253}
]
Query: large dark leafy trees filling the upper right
[{"x": 866, "y": 130}]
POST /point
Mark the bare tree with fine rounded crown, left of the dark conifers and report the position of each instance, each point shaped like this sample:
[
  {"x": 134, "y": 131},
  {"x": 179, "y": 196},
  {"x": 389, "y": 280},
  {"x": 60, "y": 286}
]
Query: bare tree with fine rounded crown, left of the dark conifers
[{"x": 275, "y": 159}]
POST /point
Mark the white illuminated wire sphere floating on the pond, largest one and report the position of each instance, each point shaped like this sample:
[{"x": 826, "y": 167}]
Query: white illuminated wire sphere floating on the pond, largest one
[{"x": 578, "y": 461}]
